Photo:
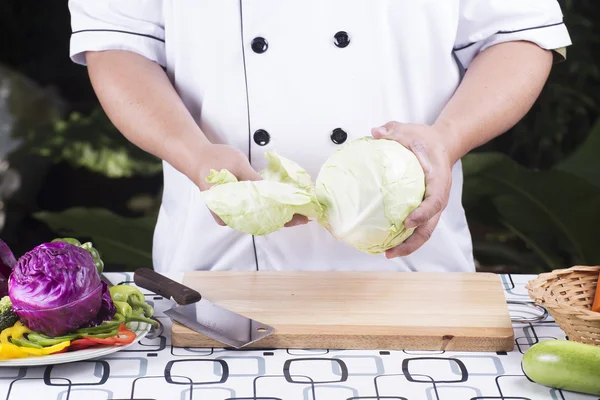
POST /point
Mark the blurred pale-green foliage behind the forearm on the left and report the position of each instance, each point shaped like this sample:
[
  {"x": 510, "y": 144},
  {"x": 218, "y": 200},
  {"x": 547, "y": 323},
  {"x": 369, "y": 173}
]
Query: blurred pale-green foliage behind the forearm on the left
[{"x": 94, "y": 143}]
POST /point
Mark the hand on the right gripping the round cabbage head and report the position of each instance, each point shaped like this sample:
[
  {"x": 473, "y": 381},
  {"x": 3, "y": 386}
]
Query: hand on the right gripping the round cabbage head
[{"x": 430, "y": 146}]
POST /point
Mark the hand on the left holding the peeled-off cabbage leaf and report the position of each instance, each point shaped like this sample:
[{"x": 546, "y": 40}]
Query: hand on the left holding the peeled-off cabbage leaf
[{"x": 221, "y": 156}]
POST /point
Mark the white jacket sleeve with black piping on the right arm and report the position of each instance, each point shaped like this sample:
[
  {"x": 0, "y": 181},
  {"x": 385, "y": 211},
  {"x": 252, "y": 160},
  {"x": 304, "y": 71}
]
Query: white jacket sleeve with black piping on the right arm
[{"x": 483, "y": 23}]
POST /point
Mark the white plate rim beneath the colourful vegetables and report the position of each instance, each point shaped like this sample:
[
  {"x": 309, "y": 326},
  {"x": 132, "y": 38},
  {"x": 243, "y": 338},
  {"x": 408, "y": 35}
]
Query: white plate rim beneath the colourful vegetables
[{"x": 71, "y": 356}]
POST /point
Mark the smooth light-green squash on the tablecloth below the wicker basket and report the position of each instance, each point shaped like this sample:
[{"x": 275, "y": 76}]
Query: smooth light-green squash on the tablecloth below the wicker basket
[{"x": 564, "y": 364}]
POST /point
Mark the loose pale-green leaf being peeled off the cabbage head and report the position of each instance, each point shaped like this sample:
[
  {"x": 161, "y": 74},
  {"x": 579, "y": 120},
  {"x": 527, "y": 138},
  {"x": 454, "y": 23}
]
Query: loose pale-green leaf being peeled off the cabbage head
[{"x": 264, "y": 206}]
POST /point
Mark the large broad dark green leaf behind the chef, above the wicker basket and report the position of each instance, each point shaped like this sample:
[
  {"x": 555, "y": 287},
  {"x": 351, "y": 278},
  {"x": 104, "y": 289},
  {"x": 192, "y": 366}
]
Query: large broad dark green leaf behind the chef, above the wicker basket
[{"x": 552, "y": 212}]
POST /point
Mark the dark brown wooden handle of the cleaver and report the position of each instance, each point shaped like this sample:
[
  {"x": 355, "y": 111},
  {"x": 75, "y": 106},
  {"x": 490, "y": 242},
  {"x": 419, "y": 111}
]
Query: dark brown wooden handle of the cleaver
[{"x": 149, "y": 279}]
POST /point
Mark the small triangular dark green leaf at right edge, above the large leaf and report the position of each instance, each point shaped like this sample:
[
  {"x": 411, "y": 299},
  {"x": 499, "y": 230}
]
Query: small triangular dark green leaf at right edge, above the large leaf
[{"x": 585, "y": 161}]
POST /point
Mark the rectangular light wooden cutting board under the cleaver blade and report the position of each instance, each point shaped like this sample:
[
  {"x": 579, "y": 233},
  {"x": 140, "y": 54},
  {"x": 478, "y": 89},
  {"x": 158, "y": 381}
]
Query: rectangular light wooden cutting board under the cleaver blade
[{"x": 361, "y": 310}]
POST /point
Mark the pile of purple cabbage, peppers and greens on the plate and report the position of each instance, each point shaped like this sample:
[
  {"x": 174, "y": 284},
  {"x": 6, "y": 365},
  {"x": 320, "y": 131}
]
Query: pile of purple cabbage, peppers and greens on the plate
[{"x": 52, "y": 300}]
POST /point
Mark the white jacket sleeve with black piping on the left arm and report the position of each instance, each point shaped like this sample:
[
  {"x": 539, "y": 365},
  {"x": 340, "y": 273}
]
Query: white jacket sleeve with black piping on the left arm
[{"x": 133, "y": 25}]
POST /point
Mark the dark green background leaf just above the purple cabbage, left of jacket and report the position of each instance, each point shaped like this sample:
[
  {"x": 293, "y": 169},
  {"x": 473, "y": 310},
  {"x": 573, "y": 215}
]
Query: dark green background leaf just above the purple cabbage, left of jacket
[{"x": 123, "y": 241}]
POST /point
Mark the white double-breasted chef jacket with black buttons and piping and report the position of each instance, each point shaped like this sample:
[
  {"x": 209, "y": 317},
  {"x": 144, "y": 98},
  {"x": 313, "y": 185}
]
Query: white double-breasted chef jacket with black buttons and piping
[{"x": 301, "y": 78}]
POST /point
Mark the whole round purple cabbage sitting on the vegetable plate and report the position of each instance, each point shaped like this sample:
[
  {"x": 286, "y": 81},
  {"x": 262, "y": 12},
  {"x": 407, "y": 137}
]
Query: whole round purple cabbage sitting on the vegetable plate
[{"x": 55, "y": 288}]
